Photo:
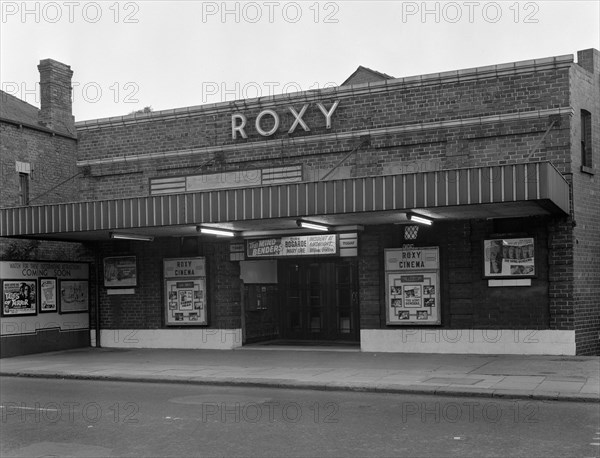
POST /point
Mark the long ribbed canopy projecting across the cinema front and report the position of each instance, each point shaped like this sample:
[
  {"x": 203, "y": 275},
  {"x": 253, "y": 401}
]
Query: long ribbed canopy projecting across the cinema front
[{"x": 498, "y": 191}]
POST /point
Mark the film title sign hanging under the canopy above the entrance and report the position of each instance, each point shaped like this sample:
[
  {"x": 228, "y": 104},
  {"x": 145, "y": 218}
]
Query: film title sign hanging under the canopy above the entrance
[{"x": 301, "y": 245}]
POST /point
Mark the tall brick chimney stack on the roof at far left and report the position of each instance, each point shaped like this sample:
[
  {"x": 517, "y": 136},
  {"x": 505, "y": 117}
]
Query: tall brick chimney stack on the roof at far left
[{"x": 56, "y": 111}]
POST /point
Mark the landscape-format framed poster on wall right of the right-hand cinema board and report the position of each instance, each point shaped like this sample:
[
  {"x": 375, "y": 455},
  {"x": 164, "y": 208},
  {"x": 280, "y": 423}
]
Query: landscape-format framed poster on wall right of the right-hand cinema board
[{"x": 509, "y": 258}]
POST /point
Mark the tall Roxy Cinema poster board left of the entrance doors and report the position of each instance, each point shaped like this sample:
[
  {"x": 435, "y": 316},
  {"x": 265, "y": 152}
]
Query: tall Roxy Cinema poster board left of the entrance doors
[{"x": 185, "y": 291}]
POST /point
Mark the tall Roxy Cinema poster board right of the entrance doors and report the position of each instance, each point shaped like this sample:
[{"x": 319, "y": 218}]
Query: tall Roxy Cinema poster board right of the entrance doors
[{"x": 412, "y": 286}]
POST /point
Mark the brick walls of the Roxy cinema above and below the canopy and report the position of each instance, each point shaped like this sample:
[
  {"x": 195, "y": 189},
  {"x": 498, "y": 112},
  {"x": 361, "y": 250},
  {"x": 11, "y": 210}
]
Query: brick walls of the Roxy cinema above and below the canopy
[{"x": 516, "y": 113}]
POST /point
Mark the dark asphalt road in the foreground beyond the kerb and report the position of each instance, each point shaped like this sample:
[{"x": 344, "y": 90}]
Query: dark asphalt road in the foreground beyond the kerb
[{"x": 42, "y": 417}]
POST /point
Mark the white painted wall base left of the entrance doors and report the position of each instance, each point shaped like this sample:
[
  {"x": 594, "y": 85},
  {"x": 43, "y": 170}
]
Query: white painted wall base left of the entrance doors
[{"x": 212, "y": 339}]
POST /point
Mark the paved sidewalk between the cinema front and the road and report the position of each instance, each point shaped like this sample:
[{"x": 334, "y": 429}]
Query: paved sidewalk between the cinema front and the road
[{"x": 561, "y": 378}]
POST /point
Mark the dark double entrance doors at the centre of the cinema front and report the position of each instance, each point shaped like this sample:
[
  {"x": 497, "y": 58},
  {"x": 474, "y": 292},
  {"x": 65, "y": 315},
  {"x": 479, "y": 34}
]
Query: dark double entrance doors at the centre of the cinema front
[{"x": 319, "y": 300}]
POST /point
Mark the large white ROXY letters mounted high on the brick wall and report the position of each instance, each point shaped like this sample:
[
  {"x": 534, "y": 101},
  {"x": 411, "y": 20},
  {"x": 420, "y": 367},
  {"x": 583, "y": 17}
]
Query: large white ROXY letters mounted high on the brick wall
[{"x": 239, "y": 121}]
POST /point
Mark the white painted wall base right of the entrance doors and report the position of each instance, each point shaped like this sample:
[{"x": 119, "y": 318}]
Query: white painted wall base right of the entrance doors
[{"x": 469, "y": 341}]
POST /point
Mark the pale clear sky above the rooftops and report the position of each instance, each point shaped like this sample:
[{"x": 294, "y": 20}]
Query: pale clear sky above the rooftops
[{"x": 133, "y": 54}]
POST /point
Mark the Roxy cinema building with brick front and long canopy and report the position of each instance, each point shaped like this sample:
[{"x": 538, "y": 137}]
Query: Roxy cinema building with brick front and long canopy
[{"x": 455, "y": 212}]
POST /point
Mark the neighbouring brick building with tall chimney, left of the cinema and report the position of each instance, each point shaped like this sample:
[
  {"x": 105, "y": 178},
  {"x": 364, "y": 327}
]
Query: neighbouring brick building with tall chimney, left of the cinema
[{"x": 38, "y": 158}]
